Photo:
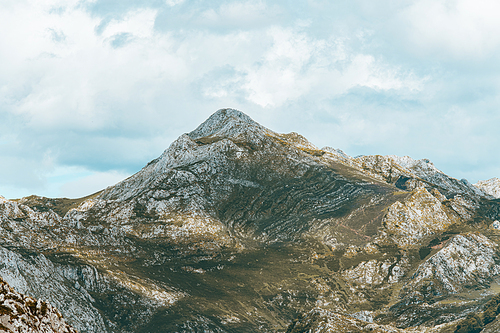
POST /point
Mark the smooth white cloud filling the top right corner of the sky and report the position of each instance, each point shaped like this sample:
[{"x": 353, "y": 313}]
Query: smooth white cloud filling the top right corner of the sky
[{"x": 463, "y": 29}]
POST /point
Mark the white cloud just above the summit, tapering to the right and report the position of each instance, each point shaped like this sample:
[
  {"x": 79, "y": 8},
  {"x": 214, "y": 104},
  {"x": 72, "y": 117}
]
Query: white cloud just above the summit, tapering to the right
[{"x": 297, "y": 64}]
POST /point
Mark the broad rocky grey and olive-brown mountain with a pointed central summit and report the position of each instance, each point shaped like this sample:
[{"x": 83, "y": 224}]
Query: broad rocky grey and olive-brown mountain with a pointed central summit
[{"x": 237, "y": 228}]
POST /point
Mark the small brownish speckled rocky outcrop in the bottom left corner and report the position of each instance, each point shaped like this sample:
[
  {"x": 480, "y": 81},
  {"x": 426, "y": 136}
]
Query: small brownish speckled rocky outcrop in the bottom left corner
[{"x": 20, "y": 313}]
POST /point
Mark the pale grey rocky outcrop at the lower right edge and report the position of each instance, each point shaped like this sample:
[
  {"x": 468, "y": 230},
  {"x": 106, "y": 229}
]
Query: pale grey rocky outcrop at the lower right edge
[{"x": 439, "y": 290}]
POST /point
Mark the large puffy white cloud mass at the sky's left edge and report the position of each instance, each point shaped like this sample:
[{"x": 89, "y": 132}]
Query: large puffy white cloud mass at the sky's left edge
[{"x": 78, "y": 84}]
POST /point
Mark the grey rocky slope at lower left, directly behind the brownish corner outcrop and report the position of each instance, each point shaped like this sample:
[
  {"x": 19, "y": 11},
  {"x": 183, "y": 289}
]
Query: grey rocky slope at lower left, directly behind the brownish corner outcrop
[{"x": 76, "y": 289}]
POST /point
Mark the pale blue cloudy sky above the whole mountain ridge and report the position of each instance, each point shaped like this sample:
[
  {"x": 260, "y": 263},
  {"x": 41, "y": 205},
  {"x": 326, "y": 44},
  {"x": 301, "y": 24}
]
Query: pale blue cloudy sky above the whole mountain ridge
[{"x": 92, "y": 90}]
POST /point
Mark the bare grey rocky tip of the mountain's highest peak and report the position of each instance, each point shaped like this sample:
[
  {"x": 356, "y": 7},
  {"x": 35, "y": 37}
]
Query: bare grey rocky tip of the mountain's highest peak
[{"x": 226, "y": 123}]
